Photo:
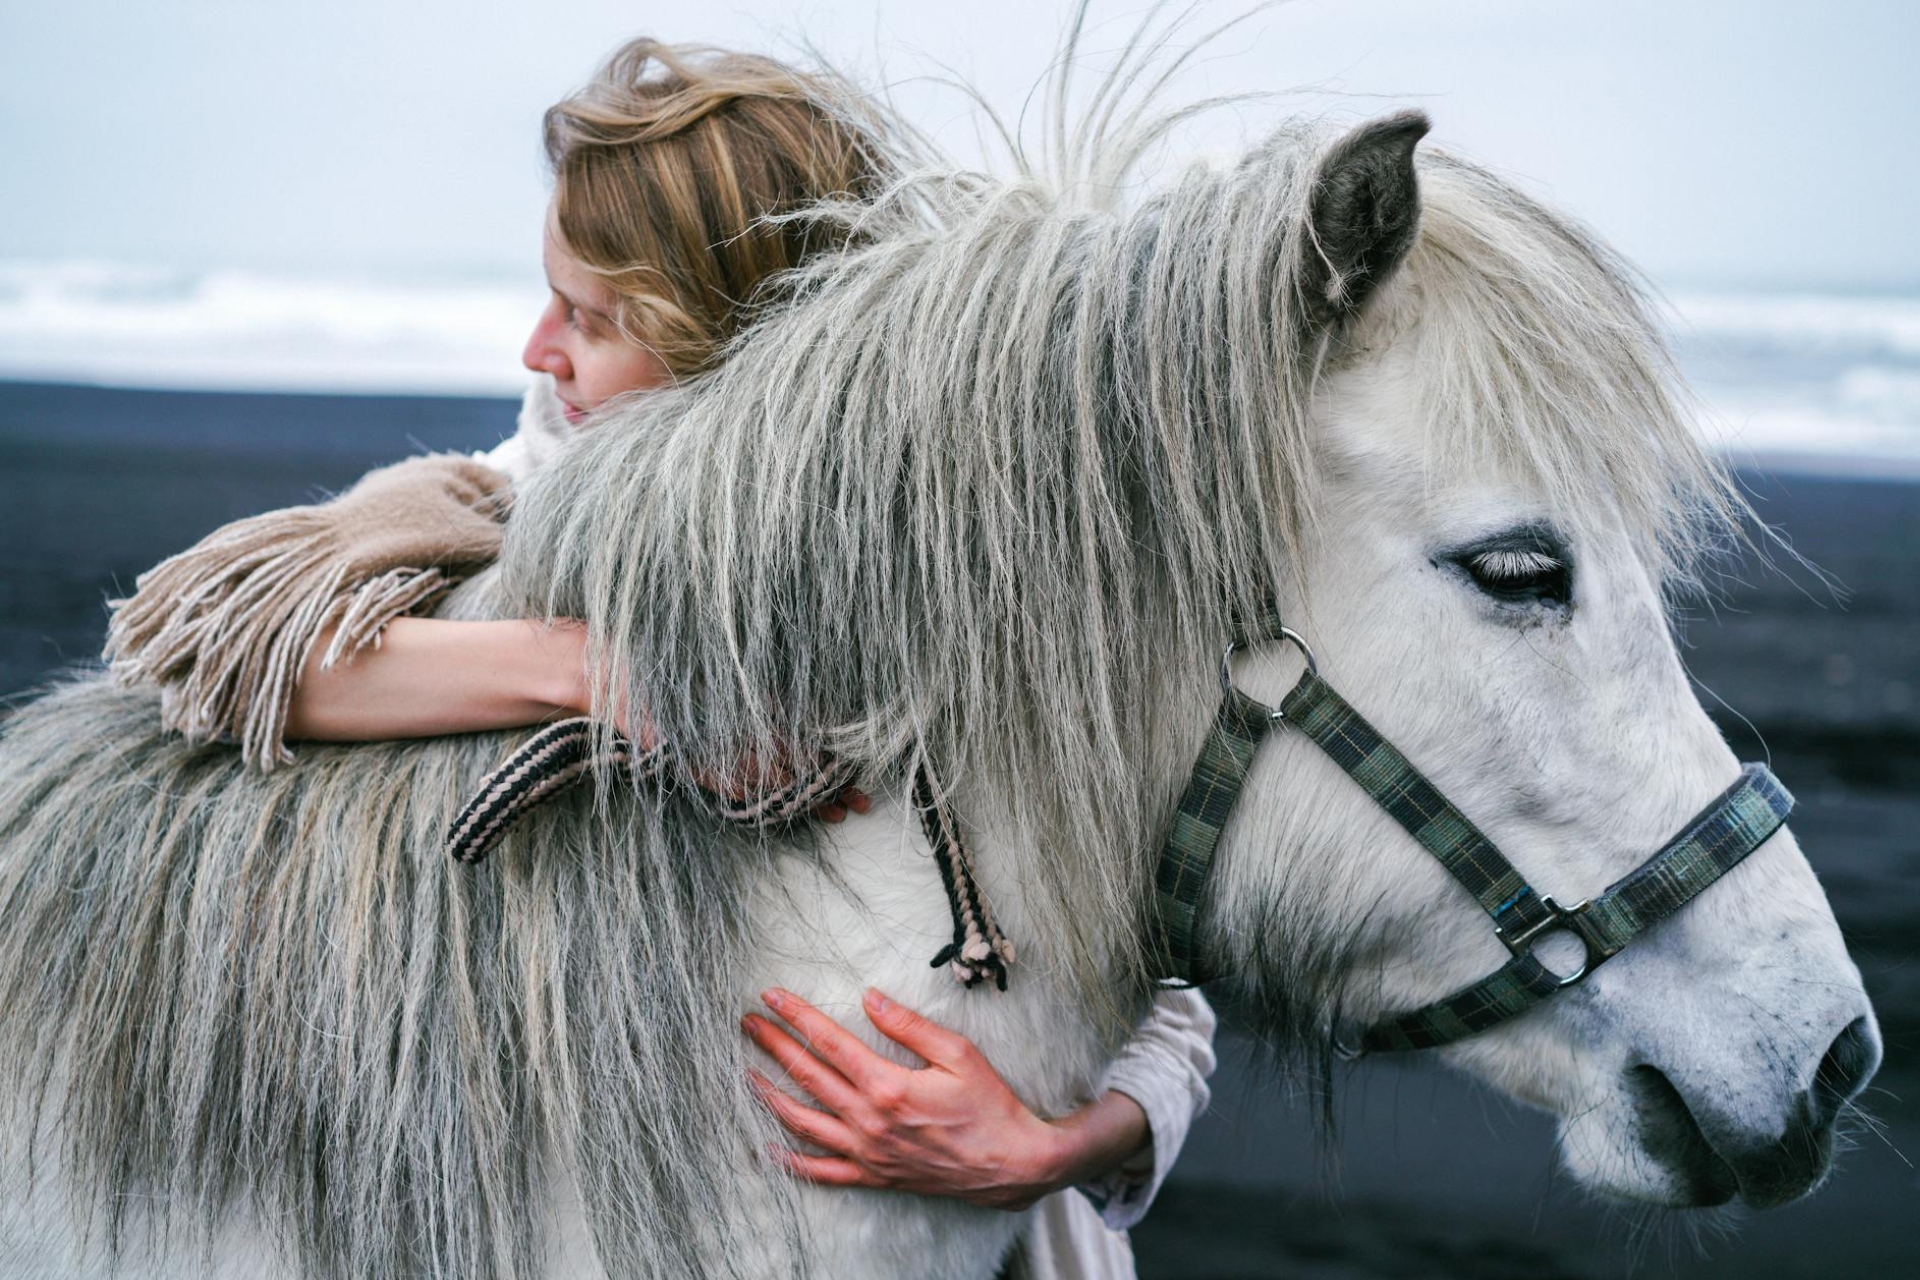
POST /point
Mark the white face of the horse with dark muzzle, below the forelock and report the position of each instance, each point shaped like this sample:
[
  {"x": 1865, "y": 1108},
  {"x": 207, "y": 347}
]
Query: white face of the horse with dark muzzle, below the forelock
[{"x": 1525, "y": 665}]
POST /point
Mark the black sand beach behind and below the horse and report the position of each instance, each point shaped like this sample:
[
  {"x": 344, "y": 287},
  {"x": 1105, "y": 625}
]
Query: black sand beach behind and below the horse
[{"x": 1429, "y": 1175}]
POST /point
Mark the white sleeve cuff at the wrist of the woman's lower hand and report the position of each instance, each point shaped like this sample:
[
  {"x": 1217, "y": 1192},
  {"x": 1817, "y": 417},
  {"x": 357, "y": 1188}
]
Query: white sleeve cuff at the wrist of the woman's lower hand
[{"x": 1164, "y": 1070}]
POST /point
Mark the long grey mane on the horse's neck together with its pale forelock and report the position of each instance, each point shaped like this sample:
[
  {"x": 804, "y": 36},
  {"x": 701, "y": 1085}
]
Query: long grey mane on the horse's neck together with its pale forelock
[{"x": 996, "y": 475}]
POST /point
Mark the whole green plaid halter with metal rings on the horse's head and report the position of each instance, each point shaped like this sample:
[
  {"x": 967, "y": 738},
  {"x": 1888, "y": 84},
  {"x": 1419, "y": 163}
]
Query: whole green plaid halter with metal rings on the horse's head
[{"x": 1710, "y": 847}]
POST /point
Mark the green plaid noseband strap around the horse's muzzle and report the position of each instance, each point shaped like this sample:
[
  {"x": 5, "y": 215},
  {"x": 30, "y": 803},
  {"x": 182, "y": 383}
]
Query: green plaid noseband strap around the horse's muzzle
[{"x": 1710, "y": 847}]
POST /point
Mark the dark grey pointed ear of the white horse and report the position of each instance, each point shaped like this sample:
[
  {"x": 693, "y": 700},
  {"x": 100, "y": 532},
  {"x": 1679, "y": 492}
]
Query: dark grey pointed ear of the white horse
[{"x": 1366, "y": 210}]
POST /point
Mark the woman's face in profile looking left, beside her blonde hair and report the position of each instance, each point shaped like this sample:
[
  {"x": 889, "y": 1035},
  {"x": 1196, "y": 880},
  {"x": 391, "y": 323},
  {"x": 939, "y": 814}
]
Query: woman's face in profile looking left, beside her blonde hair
[{"x": 579, "y": 343}]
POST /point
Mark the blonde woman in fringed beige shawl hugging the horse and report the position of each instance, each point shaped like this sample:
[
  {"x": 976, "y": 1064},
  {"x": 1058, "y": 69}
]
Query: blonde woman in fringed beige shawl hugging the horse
[{"x": 679, "y": 176}]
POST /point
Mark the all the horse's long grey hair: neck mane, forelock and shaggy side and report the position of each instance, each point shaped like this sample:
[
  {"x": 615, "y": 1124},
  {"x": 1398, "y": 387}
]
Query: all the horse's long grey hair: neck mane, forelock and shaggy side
[{"x": 976, "y": 490}]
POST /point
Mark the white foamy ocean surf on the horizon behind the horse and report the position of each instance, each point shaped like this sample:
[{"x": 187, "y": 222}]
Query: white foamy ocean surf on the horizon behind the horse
[{"x": 1829, "y": 379}]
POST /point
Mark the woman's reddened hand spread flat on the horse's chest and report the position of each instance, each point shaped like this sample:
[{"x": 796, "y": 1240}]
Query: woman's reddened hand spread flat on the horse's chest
[{"x": 948, "y": 1129}]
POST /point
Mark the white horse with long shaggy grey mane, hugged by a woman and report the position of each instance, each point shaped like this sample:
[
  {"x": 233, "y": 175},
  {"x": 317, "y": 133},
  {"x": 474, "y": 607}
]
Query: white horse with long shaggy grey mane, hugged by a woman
[{"x": 988, "y": 492}]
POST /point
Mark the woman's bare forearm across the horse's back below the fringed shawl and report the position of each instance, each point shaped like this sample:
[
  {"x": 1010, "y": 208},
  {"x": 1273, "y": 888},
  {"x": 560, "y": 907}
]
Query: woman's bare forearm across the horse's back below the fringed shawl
[{"x": 431, "y": 676}]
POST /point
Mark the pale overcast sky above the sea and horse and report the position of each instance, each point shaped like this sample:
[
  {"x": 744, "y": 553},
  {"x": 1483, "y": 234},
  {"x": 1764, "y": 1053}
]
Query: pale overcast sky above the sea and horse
[{"x": 1714, "y": 141}]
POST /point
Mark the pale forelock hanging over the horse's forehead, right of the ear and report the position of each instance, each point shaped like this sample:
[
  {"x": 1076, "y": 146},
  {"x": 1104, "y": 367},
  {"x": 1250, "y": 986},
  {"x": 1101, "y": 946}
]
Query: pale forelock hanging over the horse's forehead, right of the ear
[{"x": 1539, "y": 360}]
